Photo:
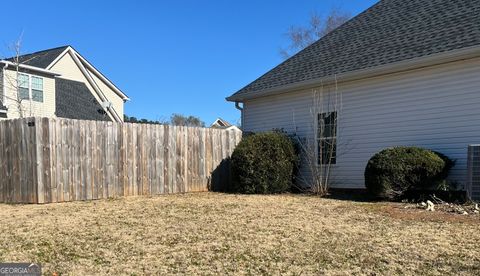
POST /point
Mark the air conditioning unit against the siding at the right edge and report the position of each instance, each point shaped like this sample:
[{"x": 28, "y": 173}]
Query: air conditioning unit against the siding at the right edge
[{"x": 473, "y": 177}]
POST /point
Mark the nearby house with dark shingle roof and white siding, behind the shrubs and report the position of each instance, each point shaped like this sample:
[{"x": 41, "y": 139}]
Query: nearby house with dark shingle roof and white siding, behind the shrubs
[{"x": 407, "y": 72}]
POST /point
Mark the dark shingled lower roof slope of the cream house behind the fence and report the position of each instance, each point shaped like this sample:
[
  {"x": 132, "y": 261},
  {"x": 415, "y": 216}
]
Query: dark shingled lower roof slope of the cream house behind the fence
[{"x": 75, "y": 101}]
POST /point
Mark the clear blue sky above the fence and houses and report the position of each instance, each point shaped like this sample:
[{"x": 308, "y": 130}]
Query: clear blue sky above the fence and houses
[{"x": 169, "y": 56}]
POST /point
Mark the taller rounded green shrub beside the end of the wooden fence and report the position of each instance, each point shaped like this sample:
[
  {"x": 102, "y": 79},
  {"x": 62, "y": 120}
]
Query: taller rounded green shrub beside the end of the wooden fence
[{"x": 263, "y": 163}]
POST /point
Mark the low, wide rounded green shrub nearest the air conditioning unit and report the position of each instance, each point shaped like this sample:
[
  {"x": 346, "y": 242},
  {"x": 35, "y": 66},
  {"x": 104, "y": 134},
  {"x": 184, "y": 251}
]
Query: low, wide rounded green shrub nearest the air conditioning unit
[{"x": 392, "y": 172}]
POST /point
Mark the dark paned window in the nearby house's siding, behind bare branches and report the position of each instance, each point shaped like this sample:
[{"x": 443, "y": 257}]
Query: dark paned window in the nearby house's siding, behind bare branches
[{"x": 327, "y": 138}]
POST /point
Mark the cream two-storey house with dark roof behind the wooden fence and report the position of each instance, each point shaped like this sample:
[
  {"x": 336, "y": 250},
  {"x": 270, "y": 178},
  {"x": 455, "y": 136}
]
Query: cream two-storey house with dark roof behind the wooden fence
[{"x": 57, "y": 82}]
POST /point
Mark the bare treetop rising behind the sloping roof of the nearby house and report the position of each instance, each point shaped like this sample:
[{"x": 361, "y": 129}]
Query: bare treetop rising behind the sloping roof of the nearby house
[{"x": 301, "y": 37}]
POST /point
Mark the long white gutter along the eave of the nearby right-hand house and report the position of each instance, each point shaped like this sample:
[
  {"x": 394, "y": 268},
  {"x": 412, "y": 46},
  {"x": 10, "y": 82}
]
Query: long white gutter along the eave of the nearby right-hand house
[{"x": 434, "y": 59}]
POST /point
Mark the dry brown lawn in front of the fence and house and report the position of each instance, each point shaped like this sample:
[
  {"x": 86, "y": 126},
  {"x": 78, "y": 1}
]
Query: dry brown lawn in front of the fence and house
[{"x": 209, "y": 233}]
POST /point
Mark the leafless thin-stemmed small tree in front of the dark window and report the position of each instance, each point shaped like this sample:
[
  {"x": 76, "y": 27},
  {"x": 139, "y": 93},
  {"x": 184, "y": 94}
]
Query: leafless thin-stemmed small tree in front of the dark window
[{"x": 318, "y": 148}]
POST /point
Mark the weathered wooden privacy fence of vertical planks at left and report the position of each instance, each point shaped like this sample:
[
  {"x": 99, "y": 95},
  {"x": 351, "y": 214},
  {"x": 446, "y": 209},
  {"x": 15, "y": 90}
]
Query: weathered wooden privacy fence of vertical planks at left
[{"x": 55, "y": 160}]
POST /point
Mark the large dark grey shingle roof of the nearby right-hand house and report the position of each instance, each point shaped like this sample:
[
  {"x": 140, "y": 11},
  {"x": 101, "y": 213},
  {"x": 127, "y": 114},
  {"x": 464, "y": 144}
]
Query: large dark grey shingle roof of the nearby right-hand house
[{"x": 390, "y": 31}]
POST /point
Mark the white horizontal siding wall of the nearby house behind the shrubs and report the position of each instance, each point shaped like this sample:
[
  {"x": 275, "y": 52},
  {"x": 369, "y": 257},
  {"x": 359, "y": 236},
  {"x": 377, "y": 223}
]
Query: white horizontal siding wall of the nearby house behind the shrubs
[{"x": 436, "y": 107}]
